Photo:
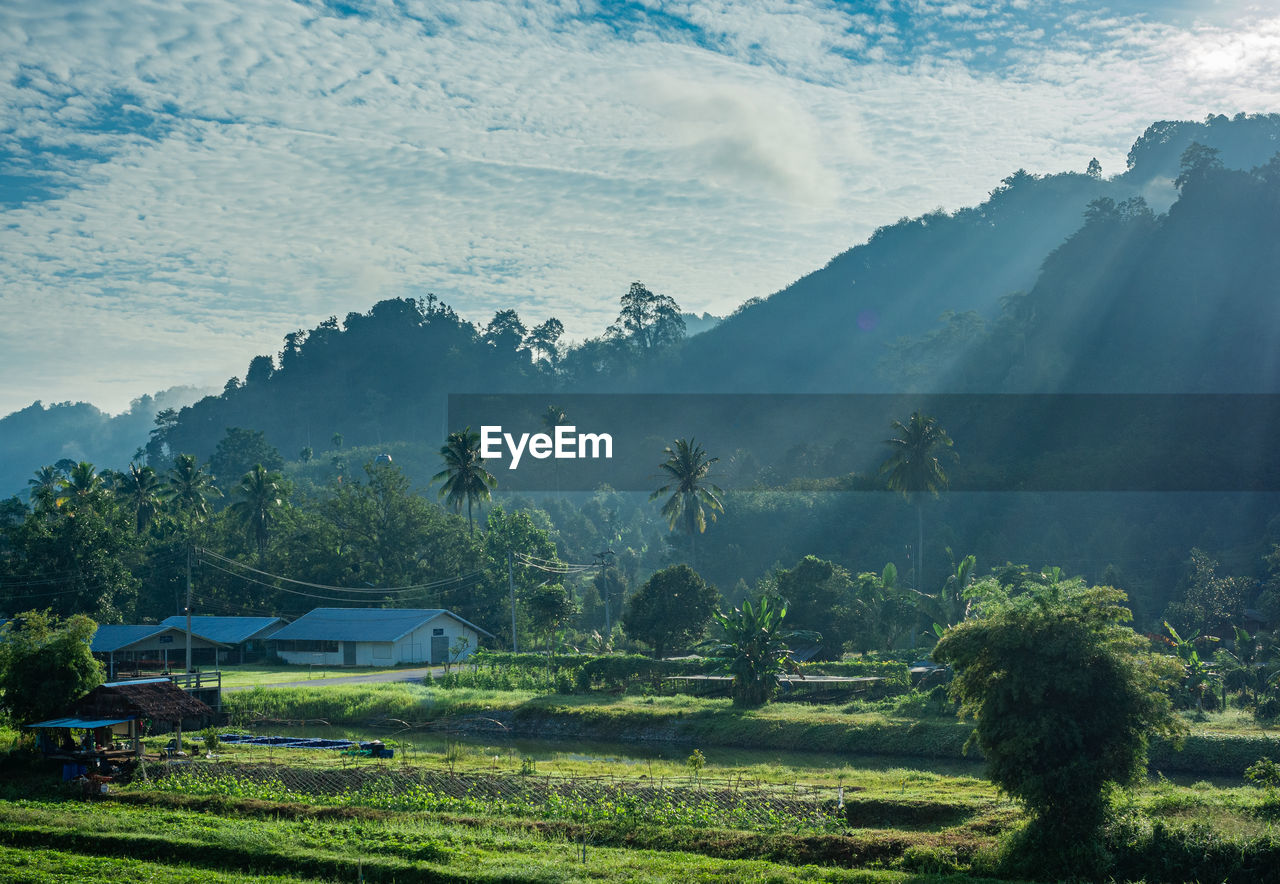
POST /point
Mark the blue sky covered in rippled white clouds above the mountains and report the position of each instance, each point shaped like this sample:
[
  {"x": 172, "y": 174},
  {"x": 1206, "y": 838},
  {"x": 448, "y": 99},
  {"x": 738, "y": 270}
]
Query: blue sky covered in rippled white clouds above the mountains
[{"x": 184, "y": 184}]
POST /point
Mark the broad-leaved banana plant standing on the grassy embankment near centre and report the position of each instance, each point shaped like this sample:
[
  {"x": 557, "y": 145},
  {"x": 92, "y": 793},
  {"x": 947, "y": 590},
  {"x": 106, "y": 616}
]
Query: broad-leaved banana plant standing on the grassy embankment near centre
[{"x": 753, "y": 649}]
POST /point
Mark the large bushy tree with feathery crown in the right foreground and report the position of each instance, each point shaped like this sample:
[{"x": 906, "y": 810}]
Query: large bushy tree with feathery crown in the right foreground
[{"x": 1064, "y": 697}]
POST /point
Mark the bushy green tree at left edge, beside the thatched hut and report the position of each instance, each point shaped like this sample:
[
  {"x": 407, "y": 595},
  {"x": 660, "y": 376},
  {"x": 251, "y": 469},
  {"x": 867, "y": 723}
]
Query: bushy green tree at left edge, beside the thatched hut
[{"x": 45, "y": 665}]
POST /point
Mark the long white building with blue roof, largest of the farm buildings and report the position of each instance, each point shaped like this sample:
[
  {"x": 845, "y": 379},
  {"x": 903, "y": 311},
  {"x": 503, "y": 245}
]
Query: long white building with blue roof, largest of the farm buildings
[{"x": 377, "y": 638}]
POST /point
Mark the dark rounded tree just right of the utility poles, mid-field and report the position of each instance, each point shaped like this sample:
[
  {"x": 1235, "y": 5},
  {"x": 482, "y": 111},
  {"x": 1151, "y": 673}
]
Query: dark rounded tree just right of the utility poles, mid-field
[{"x": 671, "y": 610}]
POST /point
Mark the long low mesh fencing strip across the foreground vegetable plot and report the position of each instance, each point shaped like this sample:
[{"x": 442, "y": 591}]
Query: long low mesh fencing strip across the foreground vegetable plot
[{"x": 733, "y": 804}]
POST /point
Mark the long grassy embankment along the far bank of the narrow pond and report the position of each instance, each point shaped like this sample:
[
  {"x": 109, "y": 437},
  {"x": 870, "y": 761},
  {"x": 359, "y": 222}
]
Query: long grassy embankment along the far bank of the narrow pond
[{"x": 1223, "y": 745}]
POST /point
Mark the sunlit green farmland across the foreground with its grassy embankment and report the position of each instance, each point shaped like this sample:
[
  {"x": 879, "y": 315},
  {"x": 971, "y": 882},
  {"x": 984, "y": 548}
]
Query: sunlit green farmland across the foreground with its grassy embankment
[{"x": 465, "y": 803}]
